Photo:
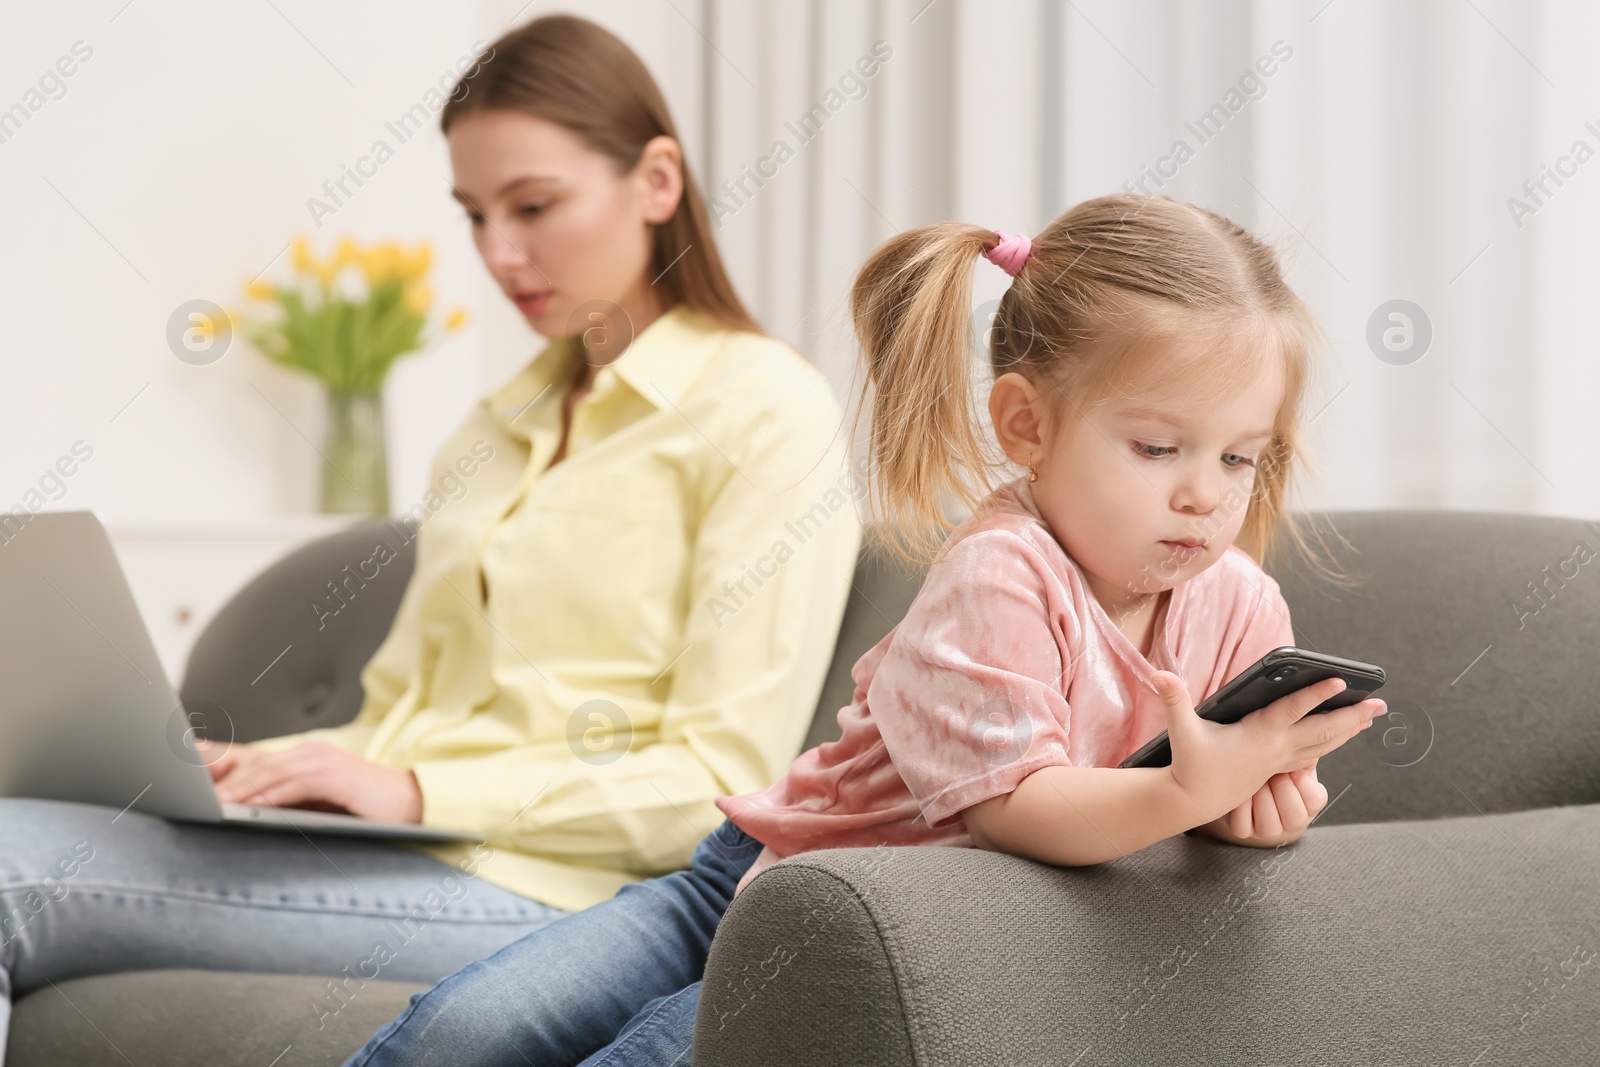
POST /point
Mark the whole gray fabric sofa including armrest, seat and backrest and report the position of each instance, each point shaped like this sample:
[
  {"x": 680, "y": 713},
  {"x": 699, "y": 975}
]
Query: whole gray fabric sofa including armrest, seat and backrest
[{"x": 1444, "y": 909}]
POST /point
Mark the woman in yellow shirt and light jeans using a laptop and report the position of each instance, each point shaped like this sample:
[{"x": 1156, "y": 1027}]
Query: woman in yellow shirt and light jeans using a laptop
[{"x": 630, "y": 612}]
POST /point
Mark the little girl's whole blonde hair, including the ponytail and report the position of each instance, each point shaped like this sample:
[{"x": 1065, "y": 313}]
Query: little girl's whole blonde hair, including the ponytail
[{"x": 1100, "y": 286}]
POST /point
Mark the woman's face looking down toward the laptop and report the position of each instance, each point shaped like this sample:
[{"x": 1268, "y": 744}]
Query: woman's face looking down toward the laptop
[{"x": 556, "y": 223}]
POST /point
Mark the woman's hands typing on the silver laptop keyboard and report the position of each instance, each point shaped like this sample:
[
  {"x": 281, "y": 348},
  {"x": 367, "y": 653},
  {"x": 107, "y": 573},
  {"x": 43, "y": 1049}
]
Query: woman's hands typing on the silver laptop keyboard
[{"x": 313, "y": 775}]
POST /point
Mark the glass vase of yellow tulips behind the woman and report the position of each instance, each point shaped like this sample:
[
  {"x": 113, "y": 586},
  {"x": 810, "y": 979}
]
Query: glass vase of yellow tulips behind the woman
[{"x": 345, "y": 321}]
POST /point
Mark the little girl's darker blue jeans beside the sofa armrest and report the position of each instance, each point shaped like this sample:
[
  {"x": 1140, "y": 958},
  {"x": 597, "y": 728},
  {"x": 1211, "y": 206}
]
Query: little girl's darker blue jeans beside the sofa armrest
[{"x": 612, "y": 985}]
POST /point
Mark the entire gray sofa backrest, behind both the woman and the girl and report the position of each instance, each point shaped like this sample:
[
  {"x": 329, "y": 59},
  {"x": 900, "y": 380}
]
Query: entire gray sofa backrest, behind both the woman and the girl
[{"x": 1484, "y": 621}]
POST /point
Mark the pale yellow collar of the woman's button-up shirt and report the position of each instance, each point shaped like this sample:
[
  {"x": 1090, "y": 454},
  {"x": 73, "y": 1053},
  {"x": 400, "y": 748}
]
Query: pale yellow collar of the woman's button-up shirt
[{"x": 660, "y": 364}]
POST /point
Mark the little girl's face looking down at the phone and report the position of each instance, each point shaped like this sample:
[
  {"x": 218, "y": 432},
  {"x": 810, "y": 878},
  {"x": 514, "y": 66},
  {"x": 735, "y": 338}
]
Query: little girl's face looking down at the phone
[{"x": 1134, "y": 478}]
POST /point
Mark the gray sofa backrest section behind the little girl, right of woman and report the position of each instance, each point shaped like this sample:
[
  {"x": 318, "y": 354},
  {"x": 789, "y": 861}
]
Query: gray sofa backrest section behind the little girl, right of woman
[{"x": 1489, "y": 701}]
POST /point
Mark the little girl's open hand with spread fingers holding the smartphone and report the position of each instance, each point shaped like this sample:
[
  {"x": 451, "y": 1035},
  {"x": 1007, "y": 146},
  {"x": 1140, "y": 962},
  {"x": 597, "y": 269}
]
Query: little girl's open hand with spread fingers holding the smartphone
[{"x": 1220, "y": 767}]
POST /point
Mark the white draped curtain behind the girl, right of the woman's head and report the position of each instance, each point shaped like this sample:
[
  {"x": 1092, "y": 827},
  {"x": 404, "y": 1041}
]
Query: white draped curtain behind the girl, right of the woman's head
[{"x": 1377, "y": 145}]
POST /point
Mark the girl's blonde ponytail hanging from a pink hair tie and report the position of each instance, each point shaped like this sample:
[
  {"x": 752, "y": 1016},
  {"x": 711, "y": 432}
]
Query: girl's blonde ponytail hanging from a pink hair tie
[{"x": 911, "y": 306}]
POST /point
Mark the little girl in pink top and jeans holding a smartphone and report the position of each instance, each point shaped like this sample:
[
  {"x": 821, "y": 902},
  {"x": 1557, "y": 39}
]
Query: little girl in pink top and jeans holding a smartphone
[{"x": 1151, "y": 369}]
